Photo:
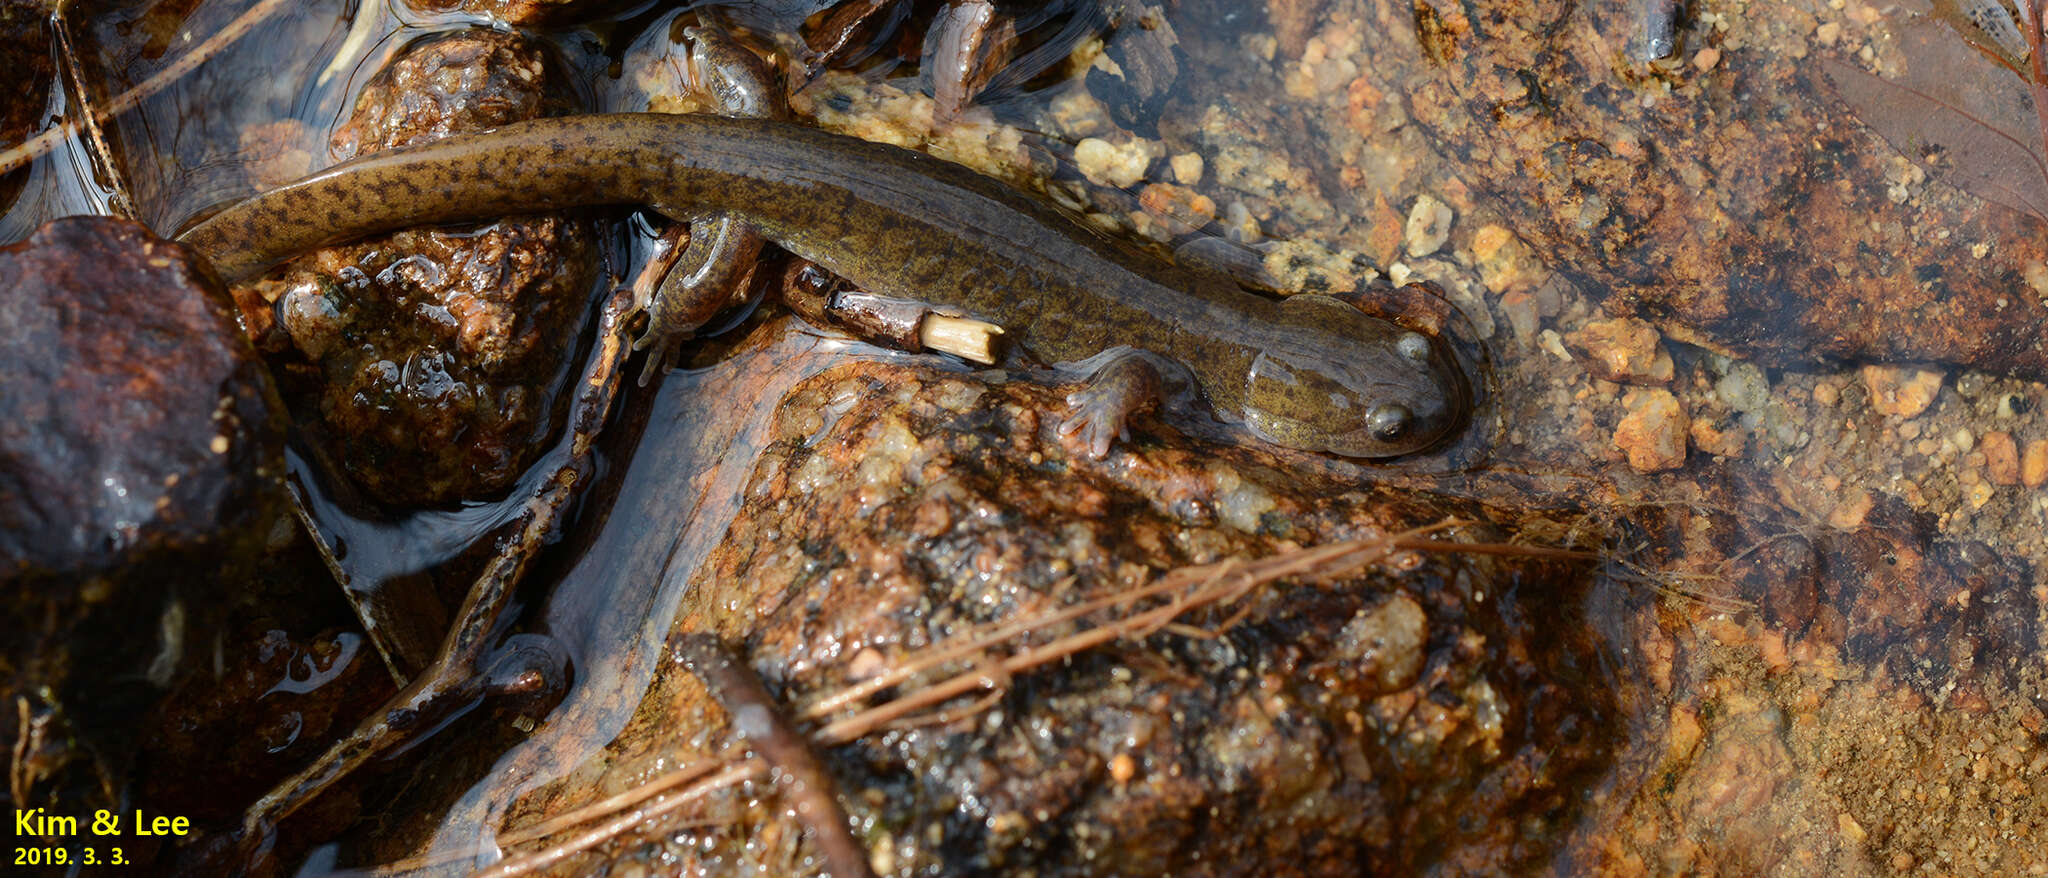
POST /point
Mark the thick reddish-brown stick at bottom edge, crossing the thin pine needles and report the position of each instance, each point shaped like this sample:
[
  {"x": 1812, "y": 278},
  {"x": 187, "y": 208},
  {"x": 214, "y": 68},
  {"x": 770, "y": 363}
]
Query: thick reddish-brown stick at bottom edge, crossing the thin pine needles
[{"x": 757, "y": 717}]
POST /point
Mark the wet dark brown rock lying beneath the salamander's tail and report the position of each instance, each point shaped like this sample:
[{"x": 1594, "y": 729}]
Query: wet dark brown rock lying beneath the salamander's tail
[{"x": 439, "y": 353}]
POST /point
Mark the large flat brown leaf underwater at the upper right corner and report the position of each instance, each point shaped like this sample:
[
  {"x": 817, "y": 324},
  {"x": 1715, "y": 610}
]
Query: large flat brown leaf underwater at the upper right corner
[{"x": 1965, "y": 120}]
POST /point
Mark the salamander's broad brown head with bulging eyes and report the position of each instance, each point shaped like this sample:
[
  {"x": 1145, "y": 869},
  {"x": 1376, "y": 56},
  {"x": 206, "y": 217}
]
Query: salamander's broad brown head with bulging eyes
[{"x": 1347, "y": 384}]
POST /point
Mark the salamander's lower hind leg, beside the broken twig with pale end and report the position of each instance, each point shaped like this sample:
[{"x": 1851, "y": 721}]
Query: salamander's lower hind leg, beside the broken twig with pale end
[{"x": 708, "y": 277}]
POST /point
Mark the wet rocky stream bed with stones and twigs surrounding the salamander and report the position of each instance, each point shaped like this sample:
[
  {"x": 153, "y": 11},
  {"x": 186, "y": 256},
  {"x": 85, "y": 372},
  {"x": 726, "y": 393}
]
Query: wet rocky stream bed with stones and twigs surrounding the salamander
[{"x": 1752, "y": 296}]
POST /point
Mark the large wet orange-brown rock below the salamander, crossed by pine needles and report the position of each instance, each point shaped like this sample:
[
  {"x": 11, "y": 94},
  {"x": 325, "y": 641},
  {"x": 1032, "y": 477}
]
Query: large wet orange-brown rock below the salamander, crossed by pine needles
[{"x": 1394, "y": 719}]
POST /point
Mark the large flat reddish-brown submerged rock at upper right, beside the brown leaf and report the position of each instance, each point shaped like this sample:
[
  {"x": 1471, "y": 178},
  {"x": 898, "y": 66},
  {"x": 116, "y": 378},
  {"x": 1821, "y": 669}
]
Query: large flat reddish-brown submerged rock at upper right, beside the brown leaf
[{"x": 1738, "y": 204}]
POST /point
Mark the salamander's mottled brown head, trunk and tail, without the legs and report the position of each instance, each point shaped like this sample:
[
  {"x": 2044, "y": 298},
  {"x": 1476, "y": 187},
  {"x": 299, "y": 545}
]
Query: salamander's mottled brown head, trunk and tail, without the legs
[{"x": 1306, "y": 374}]
